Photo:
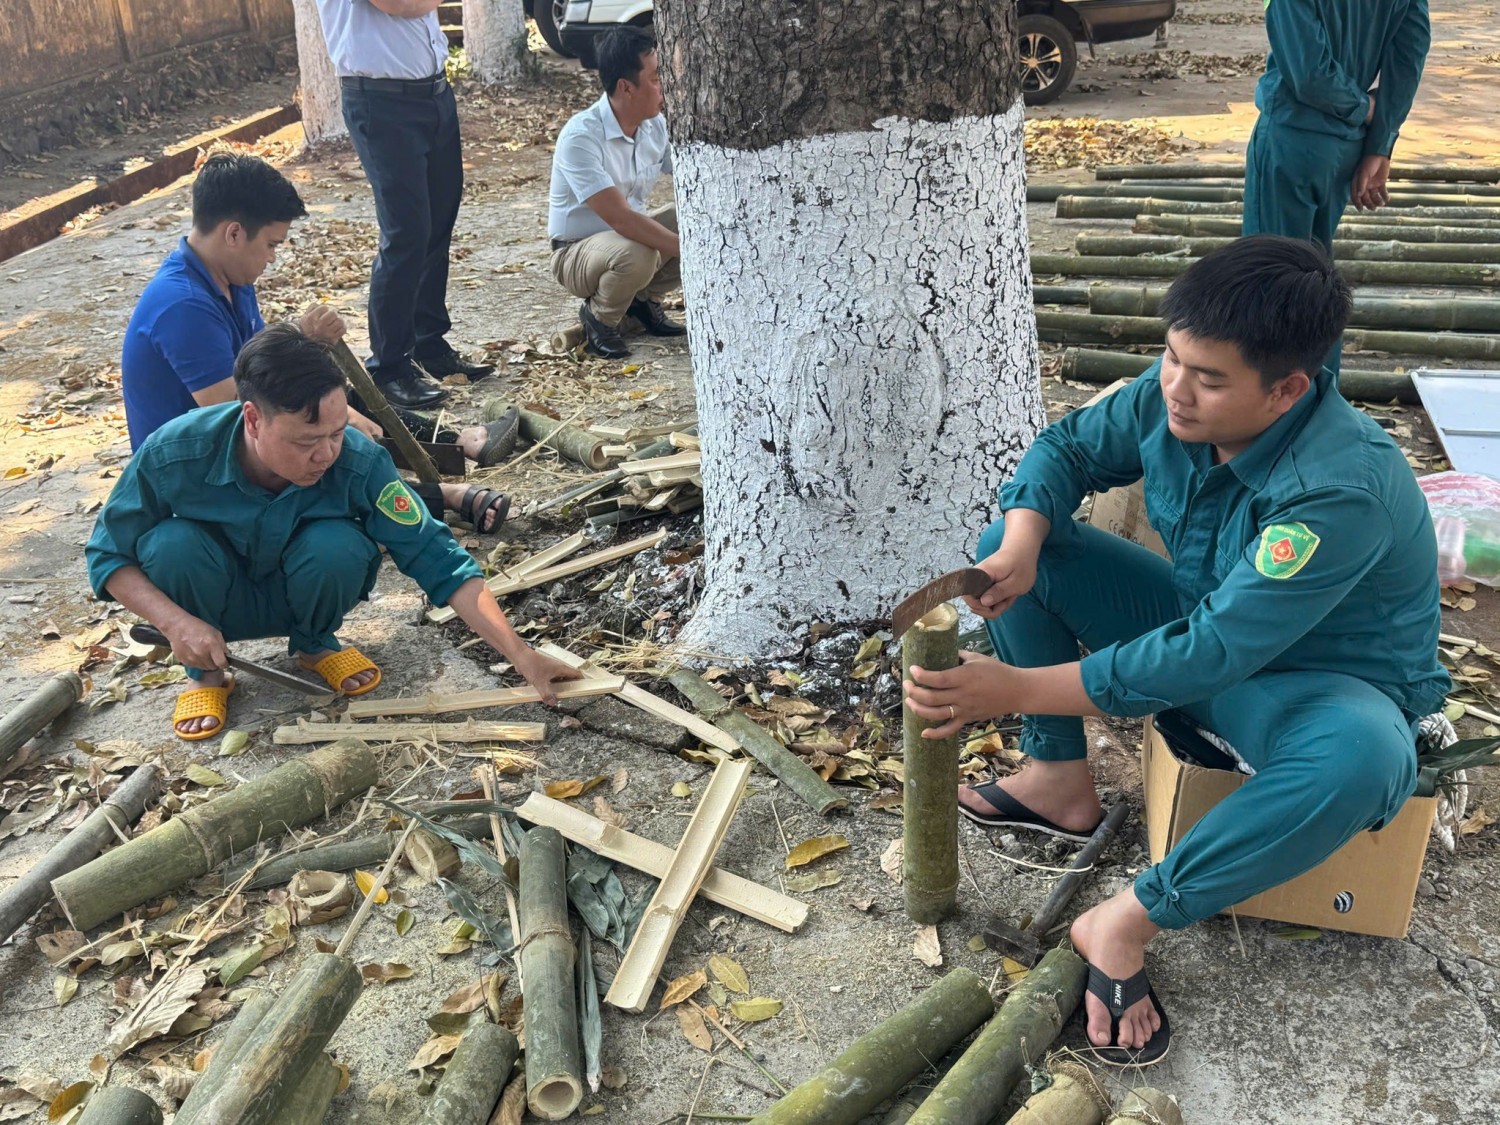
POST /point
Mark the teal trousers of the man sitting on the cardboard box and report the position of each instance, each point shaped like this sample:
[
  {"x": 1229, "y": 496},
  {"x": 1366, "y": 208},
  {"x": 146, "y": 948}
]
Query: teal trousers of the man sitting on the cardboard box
[{"x": 1333, "y": 755}]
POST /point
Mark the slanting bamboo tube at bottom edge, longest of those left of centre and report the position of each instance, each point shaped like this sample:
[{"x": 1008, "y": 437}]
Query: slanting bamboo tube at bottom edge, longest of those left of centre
[{"x": 281, "y": 1048}]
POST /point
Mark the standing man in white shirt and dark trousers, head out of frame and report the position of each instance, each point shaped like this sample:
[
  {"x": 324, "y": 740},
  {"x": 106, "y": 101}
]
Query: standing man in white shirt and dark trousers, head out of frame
[{"x": 400, "y": 109}]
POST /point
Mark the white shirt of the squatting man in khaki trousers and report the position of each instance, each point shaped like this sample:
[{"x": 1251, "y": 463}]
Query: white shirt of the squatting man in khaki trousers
[{"x": 593, "y": 154}]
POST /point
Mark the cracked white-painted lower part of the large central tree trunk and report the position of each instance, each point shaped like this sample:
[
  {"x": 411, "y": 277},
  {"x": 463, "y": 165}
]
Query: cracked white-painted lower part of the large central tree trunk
[{"x": 865, "y": 356}]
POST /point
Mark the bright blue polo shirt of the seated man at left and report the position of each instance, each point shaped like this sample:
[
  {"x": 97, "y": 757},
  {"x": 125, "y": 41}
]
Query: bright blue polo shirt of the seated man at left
[{"x": 184, "y": 337}]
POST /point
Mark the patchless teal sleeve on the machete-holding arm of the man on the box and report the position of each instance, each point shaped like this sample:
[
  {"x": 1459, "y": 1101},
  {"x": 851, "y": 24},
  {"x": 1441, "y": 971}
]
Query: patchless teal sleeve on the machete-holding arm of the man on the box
[{"x": 1090, "y": 451}]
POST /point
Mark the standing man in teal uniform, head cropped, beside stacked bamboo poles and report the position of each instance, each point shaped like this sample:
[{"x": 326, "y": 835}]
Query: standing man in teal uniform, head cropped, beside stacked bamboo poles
[{"x": 1325, "y": 137}]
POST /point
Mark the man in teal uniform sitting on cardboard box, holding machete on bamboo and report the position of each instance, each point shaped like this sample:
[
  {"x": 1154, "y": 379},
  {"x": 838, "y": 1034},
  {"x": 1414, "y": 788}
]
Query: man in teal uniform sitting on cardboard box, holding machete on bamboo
[{"x": 1297, "y": 620}]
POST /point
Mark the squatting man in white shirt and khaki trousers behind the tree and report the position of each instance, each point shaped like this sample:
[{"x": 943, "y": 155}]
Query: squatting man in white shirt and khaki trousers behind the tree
[{"x": 607, "y": 248}]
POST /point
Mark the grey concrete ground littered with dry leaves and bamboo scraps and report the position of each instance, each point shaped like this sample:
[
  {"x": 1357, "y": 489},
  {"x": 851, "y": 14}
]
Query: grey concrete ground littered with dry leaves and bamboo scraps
[{"x": 1333, "y": 1030}]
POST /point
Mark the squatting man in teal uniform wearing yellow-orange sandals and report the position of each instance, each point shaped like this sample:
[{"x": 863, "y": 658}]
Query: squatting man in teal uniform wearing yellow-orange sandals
[{"x": 266, "y": 518}]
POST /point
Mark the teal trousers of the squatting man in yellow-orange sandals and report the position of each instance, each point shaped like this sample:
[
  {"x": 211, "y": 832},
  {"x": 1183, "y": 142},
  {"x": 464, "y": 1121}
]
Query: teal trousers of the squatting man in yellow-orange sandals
[{"x": 329, "y": 566}]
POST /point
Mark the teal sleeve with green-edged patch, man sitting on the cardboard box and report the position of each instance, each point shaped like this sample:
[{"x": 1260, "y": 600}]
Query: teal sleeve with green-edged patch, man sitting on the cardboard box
[{"x": 1301, "y": 565}]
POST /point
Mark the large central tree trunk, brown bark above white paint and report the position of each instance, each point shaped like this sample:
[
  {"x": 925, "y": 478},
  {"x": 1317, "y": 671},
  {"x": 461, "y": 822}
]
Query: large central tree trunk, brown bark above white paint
[{"x": 851, "y": 209}]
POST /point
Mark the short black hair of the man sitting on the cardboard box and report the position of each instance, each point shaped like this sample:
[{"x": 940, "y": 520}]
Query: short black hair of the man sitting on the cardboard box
[{"x": 1279, "y": 301}]
